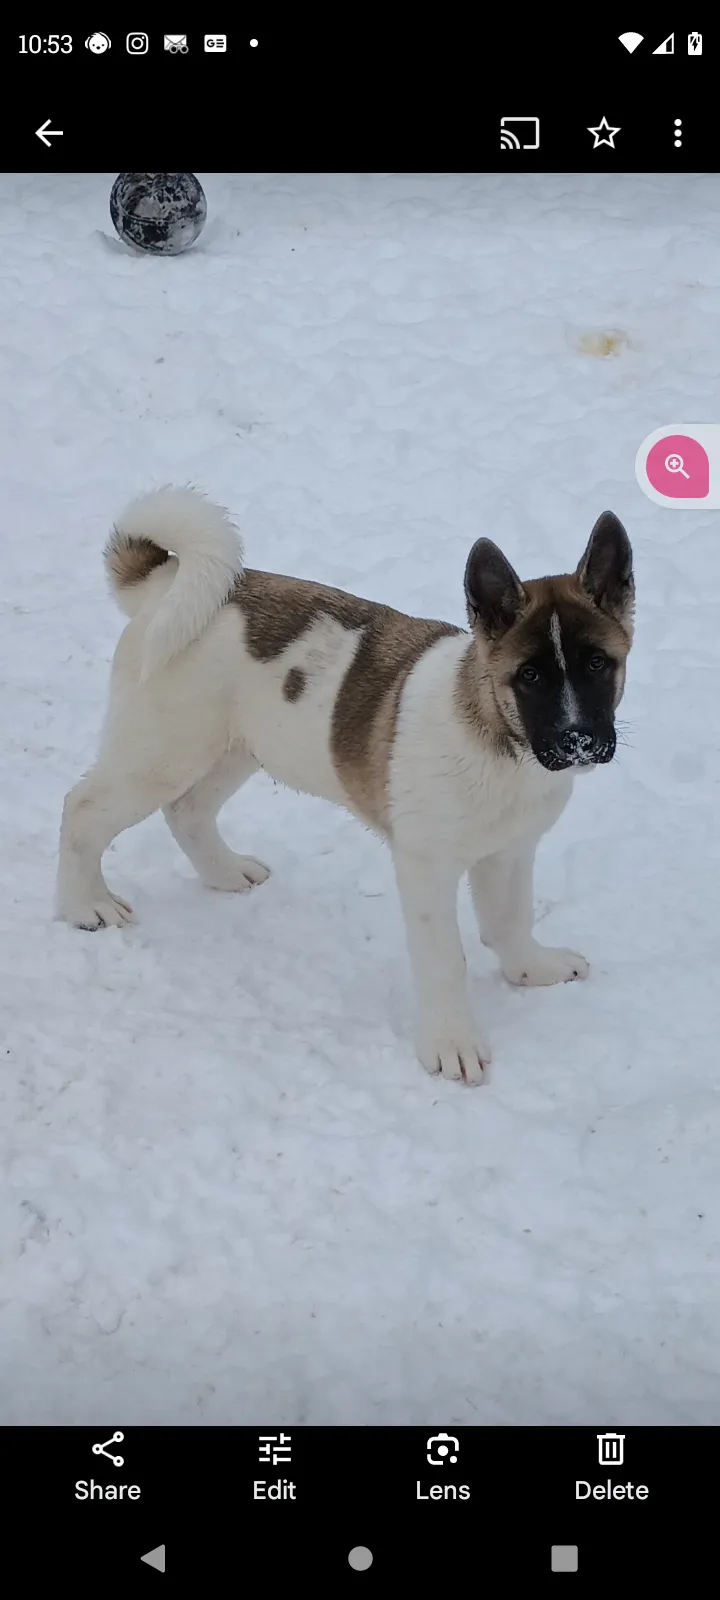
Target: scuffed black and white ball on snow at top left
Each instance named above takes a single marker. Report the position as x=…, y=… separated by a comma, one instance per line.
x=159, y=212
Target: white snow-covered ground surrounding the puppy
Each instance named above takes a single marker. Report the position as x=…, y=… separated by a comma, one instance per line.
x=230, y=1193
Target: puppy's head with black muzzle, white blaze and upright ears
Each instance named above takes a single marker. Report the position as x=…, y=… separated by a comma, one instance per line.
x=553, y=650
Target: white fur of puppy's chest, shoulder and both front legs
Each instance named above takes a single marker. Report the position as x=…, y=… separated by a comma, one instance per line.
x=457, y=807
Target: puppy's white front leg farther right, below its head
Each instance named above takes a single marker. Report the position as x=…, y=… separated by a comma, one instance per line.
x=502, y=890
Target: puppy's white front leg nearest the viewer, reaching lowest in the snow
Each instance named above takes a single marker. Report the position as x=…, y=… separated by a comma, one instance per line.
x=447, y=1038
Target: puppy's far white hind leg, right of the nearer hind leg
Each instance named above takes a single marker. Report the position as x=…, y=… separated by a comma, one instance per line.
x=194, y=826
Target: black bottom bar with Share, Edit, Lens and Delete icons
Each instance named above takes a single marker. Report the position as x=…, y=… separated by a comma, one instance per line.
x=390, y=1503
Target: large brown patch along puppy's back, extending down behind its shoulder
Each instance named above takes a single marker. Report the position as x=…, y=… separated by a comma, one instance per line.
x=279, y=610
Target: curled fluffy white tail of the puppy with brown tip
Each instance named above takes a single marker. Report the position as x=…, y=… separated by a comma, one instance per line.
x=209, y=554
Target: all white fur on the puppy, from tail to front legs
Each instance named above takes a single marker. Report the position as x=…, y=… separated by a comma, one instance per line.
x=188, y=735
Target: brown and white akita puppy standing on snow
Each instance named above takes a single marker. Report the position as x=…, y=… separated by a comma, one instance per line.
x=458, y=748
